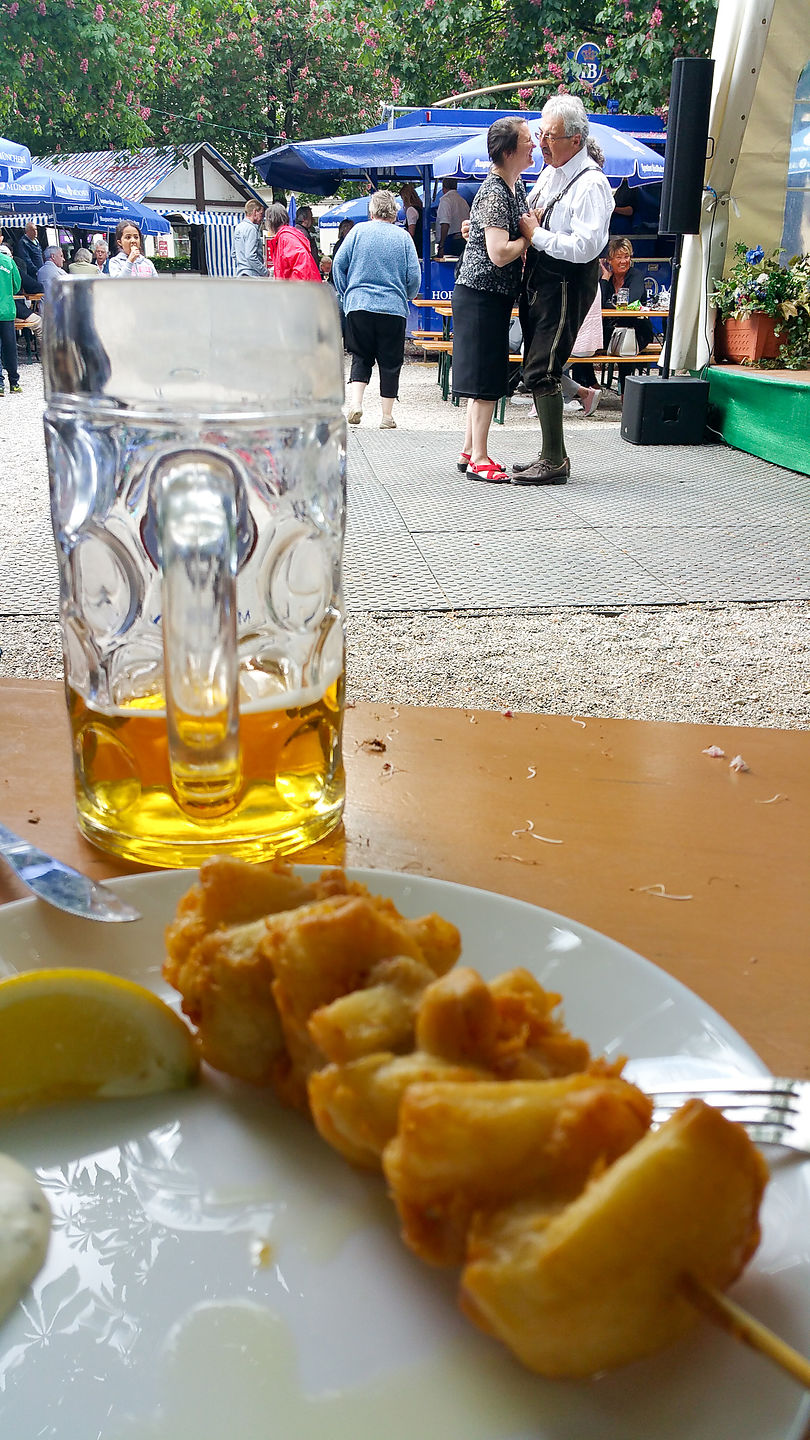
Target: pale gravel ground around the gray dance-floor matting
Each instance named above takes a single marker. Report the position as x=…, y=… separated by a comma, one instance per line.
x=723, y=665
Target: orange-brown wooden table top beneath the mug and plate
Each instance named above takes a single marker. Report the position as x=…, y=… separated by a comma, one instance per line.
x=635, y=804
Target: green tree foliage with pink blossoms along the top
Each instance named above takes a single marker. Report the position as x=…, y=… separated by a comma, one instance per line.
x=247, y=74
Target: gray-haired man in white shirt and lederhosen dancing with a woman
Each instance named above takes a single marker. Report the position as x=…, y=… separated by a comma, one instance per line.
x=567, y=230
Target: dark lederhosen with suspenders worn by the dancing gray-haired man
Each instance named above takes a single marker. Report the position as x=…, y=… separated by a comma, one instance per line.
x=556, y=297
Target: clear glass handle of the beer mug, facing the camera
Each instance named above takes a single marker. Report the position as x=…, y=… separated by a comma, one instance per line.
x=197, y=495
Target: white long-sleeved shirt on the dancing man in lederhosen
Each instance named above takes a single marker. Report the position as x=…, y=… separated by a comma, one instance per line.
x=579, y=225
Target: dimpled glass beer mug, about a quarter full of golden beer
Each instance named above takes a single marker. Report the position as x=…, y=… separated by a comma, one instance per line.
x=197, y=456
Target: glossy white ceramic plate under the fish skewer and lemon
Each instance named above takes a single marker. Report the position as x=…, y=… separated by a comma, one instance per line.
x=215, y=1271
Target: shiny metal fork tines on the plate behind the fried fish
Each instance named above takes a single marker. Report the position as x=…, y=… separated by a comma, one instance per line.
x=775, y=1111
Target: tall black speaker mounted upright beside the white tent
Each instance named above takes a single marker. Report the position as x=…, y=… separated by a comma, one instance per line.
x=687, y=143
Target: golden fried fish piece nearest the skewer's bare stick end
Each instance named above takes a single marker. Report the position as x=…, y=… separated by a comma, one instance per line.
x=597, y=1284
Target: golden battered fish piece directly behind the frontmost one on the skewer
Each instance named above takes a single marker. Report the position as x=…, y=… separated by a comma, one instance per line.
x=463, y=1150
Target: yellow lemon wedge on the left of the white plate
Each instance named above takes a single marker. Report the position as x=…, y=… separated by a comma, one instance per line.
x=70, y=1035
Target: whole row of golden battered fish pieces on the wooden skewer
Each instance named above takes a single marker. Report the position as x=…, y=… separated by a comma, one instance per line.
x=508, y=1150
